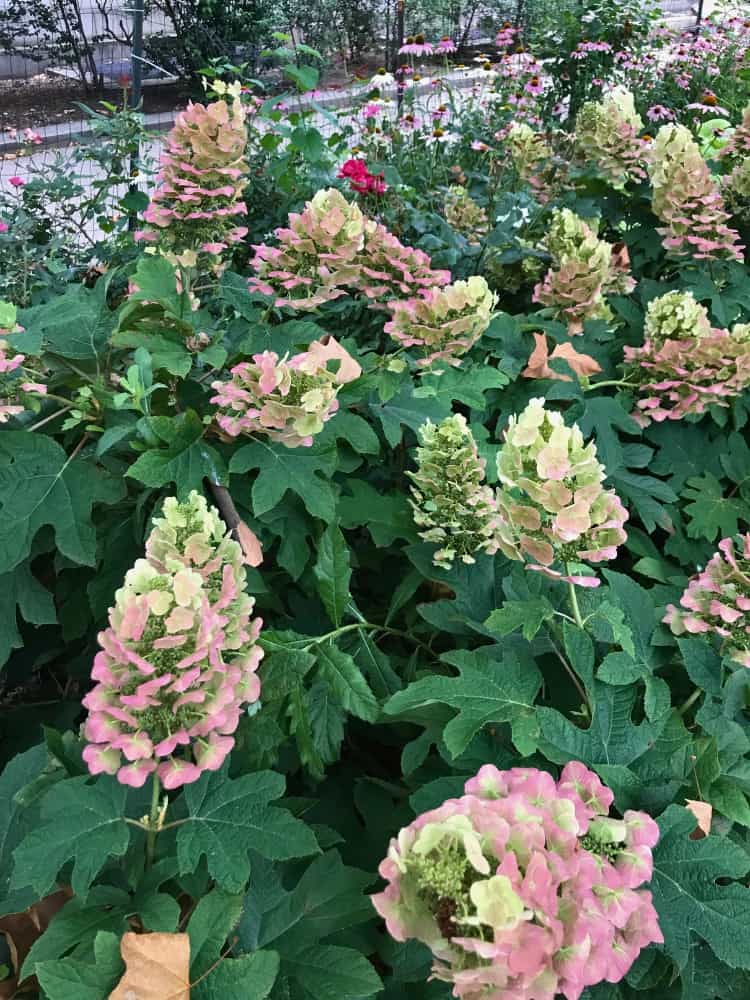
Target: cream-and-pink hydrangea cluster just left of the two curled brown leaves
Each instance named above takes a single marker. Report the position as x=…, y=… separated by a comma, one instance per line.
x=444, y=322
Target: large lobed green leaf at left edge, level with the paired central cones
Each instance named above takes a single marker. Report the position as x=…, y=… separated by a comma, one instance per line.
x=40, y=485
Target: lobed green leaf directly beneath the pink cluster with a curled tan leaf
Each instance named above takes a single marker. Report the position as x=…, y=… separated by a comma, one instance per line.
x=296, y=469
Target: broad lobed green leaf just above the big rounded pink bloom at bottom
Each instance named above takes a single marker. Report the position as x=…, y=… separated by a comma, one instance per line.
x=488, y=690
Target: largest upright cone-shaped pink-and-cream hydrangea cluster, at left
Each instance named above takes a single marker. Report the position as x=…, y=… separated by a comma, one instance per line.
x=179, y=659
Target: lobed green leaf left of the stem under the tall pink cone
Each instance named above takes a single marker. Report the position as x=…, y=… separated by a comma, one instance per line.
x=82, y=822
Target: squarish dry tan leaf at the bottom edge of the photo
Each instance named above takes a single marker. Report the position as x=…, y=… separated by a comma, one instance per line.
x=157, y=967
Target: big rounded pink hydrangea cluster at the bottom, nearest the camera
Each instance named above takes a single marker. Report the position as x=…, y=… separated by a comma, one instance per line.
x=524, y=888
